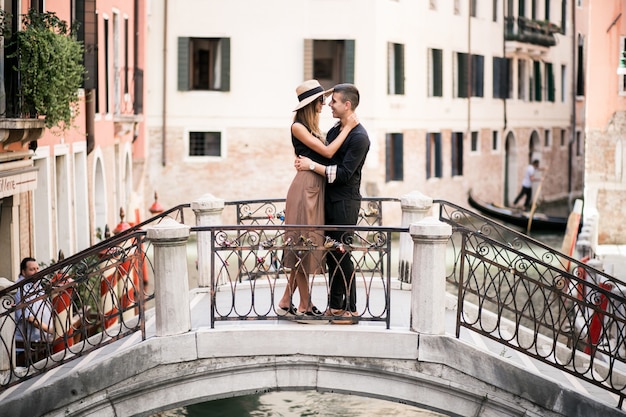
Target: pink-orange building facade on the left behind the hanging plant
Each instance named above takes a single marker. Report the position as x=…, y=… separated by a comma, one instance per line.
x=73, y=182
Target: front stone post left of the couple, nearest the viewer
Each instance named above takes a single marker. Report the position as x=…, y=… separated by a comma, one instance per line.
x=171, y=282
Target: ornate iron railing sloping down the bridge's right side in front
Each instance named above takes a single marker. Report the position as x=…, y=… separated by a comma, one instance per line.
x=531, y=298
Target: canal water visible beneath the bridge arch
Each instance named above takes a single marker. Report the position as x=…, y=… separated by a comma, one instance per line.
x=299, y=404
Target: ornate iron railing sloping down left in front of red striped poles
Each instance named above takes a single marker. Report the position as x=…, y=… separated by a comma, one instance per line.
x=90, y=299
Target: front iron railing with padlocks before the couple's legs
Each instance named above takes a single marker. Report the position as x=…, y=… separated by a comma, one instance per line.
x=243, y=255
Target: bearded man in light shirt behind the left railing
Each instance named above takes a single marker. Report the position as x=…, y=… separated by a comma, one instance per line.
x=34, y=318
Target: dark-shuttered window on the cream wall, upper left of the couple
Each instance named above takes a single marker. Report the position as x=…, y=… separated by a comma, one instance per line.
x=204, y=64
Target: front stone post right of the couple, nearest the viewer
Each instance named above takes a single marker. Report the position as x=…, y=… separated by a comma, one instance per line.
x=428, y=275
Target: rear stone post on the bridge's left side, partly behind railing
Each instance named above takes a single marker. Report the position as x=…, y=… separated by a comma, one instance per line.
x=208, y=210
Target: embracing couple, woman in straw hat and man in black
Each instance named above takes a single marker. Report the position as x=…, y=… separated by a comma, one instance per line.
x=325, y=190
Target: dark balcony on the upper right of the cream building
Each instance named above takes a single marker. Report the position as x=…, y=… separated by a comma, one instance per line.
x=534, y=32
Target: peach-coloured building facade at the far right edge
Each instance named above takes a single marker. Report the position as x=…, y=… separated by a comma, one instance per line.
x=605, y=118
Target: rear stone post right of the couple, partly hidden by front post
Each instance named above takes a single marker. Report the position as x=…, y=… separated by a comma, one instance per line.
x=415, y=206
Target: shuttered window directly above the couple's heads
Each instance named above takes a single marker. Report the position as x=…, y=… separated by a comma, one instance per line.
x=331, y=62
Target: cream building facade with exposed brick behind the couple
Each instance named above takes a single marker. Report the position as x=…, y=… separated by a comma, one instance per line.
x=455, y=95
